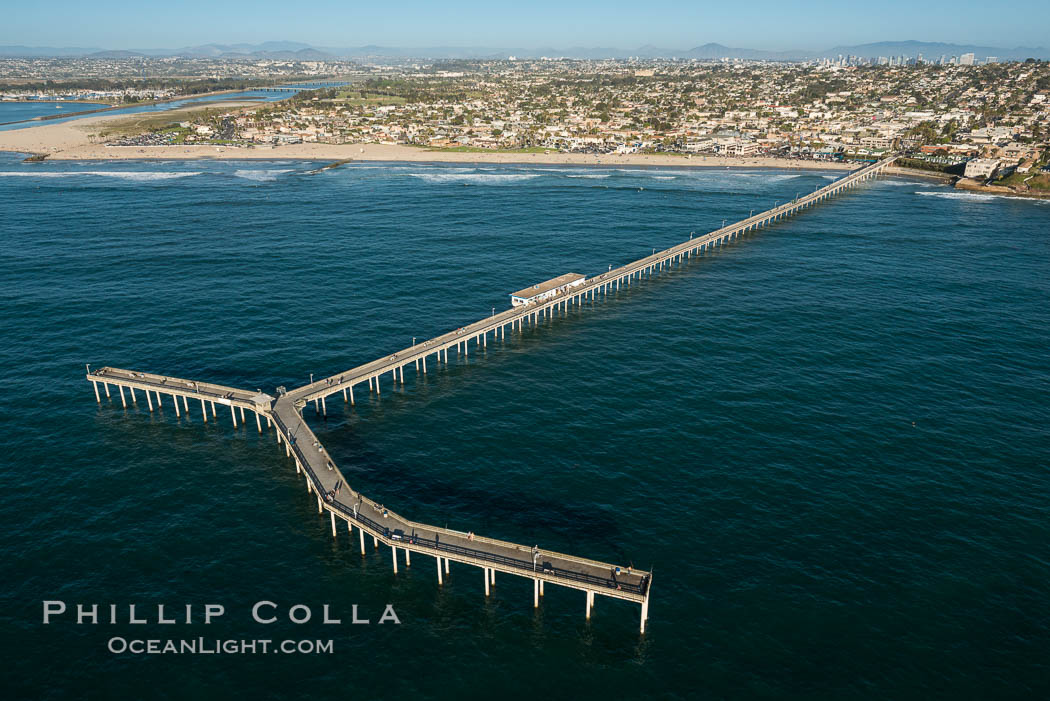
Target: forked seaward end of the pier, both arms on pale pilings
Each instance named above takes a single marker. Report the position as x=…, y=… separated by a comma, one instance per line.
x=375, y=524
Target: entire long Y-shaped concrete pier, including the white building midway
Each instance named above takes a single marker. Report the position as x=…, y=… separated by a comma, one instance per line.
x=284, y=416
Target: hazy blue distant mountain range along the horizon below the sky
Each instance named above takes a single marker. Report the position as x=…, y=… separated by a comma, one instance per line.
x=291, y=51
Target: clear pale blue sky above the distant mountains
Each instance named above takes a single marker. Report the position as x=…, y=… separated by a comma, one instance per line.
x=766, y=25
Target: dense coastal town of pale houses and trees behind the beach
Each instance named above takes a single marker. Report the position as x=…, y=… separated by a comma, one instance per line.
x=979, y=119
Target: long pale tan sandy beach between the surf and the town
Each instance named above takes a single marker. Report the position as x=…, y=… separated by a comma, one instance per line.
x=76, y=141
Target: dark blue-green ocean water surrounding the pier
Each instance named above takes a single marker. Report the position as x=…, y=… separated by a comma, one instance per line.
x=828, y=440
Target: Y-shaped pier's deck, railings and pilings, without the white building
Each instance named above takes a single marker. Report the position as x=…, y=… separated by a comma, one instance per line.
x=396, y=532
